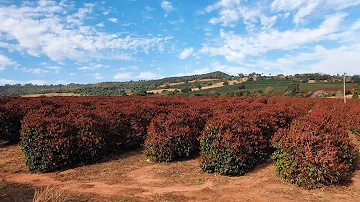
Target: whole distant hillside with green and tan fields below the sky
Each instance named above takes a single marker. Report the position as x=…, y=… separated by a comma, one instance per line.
x=214, y=83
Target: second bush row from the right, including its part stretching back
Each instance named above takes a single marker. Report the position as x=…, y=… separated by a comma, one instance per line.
x=235, y=142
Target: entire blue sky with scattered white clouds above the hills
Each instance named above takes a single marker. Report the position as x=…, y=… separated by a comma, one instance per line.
x=53, y=42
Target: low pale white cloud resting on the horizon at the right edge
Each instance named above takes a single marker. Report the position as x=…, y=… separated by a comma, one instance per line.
x=322, y=60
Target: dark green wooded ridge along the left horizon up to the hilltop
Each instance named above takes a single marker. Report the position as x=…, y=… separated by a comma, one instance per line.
x=104, y=88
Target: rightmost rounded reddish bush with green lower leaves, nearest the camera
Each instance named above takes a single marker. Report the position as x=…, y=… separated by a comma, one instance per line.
x=314, y=151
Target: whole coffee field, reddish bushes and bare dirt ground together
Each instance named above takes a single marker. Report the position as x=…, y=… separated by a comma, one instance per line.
x=214, y=148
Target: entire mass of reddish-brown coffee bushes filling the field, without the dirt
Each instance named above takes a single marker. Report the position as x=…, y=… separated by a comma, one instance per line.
x=308, y=138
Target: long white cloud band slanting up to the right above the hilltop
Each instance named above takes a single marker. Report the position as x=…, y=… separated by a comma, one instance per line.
x=236, y=47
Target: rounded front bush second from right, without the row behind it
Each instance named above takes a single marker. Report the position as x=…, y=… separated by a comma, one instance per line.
x=233, y=143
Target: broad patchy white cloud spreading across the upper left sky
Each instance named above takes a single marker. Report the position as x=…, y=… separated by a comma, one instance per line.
x=45, y=30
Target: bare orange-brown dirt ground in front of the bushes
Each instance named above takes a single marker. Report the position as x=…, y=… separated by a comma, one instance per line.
x=129, y=177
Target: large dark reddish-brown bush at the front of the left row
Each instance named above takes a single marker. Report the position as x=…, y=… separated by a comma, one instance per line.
x=53, y=138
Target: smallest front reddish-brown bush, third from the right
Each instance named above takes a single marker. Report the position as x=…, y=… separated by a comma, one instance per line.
x=173, y=136
